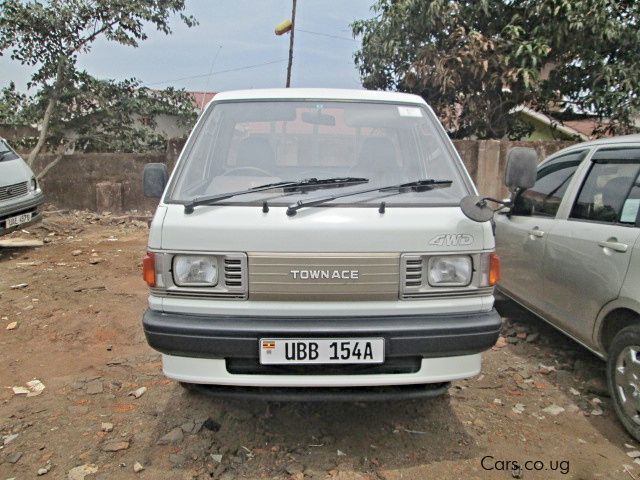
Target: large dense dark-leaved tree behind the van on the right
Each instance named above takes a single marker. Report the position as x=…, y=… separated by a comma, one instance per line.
x=474, y=61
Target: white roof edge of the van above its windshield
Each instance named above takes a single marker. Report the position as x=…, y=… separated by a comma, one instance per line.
x=318, y=94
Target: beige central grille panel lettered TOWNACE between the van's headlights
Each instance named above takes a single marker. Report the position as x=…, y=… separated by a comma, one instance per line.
x=324, y=276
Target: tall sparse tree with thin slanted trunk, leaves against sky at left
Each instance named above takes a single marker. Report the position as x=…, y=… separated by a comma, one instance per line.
x=50, y=35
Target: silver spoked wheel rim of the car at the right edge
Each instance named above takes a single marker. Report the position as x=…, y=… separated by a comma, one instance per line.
x=627, y=382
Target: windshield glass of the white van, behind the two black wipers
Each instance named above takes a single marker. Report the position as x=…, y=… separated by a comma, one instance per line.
x=241, y=145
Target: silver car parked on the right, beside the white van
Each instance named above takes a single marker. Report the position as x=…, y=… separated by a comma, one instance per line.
x=570, y=254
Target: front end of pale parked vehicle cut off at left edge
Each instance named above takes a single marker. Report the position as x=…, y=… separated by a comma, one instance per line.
x=20, y=194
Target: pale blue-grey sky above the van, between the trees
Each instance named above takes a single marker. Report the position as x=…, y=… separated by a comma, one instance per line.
x=232, y=35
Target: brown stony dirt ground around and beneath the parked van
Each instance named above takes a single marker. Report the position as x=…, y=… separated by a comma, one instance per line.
x=78, y=301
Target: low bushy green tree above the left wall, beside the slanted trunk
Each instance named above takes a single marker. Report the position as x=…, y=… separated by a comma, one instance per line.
x=95, y=115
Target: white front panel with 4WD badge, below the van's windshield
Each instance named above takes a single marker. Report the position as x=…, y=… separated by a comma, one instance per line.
x=318, y=229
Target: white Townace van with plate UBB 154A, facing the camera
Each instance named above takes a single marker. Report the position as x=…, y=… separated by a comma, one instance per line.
x=312, y=242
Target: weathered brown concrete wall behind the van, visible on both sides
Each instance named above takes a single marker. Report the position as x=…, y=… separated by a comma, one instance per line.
x=113, y=181
